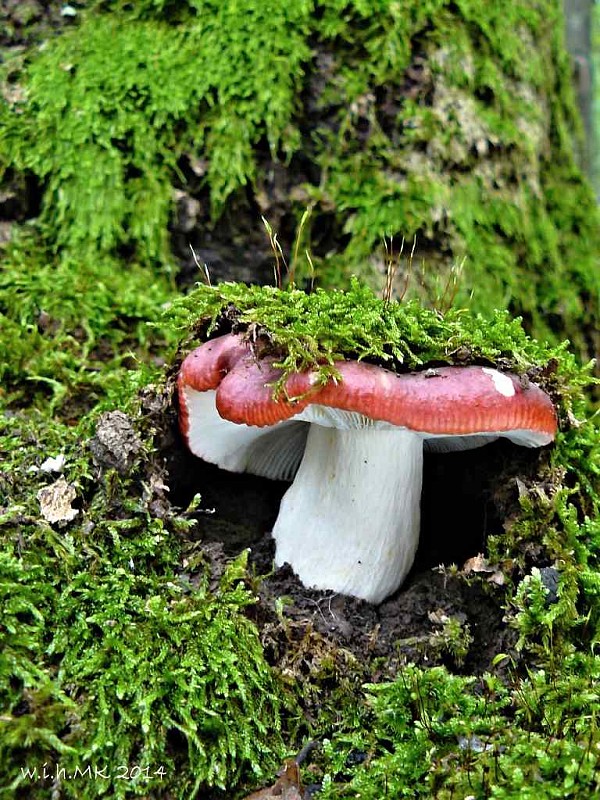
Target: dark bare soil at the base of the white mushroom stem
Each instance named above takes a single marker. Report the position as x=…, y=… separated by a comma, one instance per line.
x=404, y=627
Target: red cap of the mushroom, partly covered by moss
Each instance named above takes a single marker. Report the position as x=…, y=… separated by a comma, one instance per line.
x=445, y=402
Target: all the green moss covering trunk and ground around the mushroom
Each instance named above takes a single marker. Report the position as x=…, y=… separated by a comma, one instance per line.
x=451, y=122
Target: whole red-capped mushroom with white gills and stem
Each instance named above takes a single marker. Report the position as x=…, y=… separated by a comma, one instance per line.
x=353, y=447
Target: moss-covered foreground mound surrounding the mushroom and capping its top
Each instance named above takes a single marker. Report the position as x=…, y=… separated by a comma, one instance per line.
x=129, y=642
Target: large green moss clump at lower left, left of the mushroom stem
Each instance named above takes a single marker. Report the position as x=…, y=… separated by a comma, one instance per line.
x=112, y=657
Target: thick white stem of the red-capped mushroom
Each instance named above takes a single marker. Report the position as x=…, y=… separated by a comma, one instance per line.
x=350, y=520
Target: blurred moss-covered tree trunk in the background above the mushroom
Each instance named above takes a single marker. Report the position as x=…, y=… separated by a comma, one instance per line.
x=451, y=122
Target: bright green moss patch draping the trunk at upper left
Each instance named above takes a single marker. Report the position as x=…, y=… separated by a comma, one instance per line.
x=113, y=128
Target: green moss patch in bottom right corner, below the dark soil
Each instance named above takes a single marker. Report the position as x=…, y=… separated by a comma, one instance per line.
x=431, y=734
